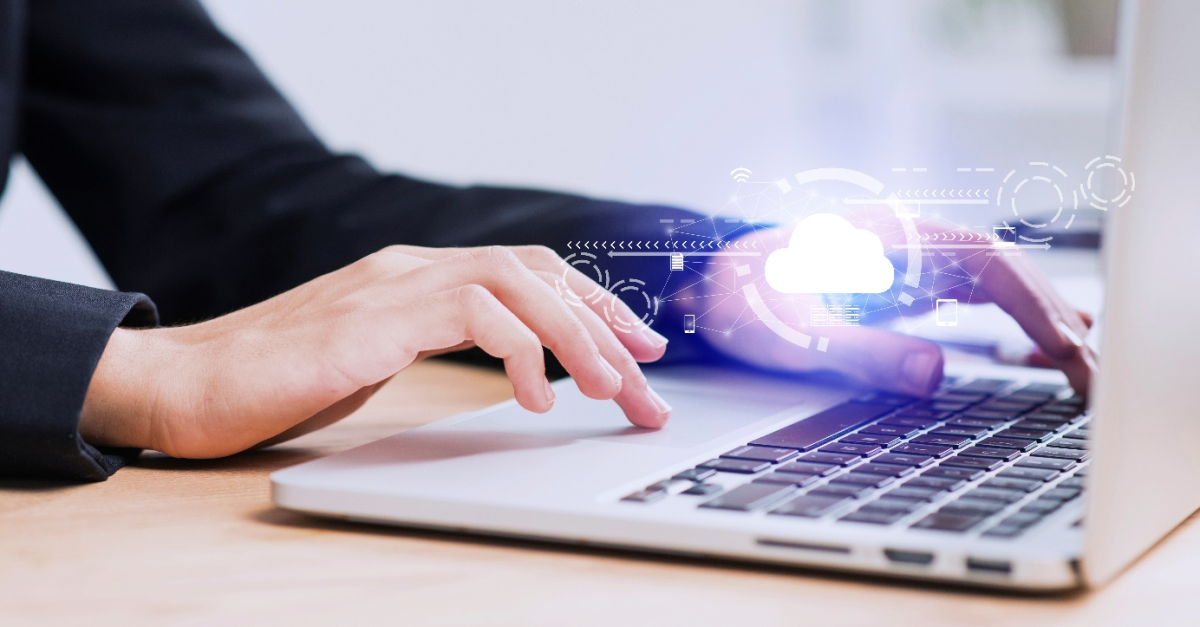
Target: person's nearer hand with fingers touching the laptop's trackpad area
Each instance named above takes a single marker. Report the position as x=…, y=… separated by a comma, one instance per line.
x=311, y=356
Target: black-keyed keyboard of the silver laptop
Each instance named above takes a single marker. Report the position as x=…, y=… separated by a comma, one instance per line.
x=982, y=456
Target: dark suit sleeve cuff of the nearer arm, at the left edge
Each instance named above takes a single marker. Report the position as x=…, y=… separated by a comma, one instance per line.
x=52, y=336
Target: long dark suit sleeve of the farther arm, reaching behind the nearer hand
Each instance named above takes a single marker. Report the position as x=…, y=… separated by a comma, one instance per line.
x=199, y=184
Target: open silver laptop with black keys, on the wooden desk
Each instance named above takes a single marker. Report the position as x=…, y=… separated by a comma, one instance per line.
x=1005, y=477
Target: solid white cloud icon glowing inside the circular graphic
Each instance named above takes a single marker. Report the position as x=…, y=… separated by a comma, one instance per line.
x=827, y=255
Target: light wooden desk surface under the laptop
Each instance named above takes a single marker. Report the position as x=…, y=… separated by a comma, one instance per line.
x=200, y=544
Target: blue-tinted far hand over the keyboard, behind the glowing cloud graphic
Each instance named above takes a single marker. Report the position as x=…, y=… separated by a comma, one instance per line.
x=878, y=357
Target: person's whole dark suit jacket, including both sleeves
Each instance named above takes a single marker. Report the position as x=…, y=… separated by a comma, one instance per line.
x=197, y=184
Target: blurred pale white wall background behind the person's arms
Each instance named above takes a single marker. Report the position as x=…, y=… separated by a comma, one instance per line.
x=646, y=101
